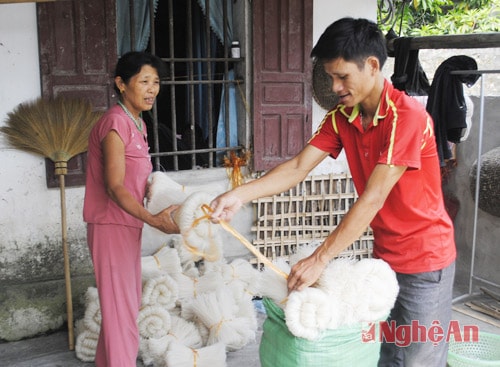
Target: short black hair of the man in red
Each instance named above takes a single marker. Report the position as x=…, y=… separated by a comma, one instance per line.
x=352, y=40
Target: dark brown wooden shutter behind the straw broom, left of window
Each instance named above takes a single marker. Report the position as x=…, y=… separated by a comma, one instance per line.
x=77, y=46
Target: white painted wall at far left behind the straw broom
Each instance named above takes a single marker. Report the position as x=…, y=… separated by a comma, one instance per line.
x=29, y=212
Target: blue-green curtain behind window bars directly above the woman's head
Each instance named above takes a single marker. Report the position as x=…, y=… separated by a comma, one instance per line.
x=142, y=24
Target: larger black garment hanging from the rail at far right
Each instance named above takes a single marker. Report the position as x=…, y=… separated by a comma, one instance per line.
x=446, y=103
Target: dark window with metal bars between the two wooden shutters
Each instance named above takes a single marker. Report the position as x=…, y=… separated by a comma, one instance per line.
x=194, y=123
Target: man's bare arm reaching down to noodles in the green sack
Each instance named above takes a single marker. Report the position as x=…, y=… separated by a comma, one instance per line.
x=380, y=183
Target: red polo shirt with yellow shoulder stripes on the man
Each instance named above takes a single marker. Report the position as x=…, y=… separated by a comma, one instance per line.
x=412, y=231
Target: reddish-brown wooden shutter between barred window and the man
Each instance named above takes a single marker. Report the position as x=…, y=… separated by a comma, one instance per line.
x=282, y=68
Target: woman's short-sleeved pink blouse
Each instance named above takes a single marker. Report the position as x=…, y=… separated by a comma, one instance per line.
x=98, y=206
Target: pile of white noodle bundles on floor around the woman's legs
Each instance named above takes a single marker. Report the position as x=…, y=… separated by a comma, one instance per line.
x=195, y=307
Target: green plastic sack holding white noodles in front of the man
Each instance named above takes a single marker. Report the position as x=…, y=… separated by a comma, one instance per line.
x=335, y=348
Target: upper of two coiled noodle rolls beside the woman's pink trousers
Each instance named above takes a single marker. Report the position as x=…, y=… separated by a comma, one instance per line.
x=162, y=291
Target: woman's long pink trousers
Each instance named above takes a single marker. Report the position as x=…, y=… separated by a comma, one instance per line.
x=116, y=255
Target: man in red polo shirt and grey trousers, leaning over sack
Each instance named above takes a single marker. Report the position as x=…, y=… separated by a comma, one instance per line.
x=389, y=142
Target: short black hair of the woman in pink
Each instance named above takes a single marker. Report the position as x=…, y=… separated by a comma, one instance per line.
x=132, y=62
